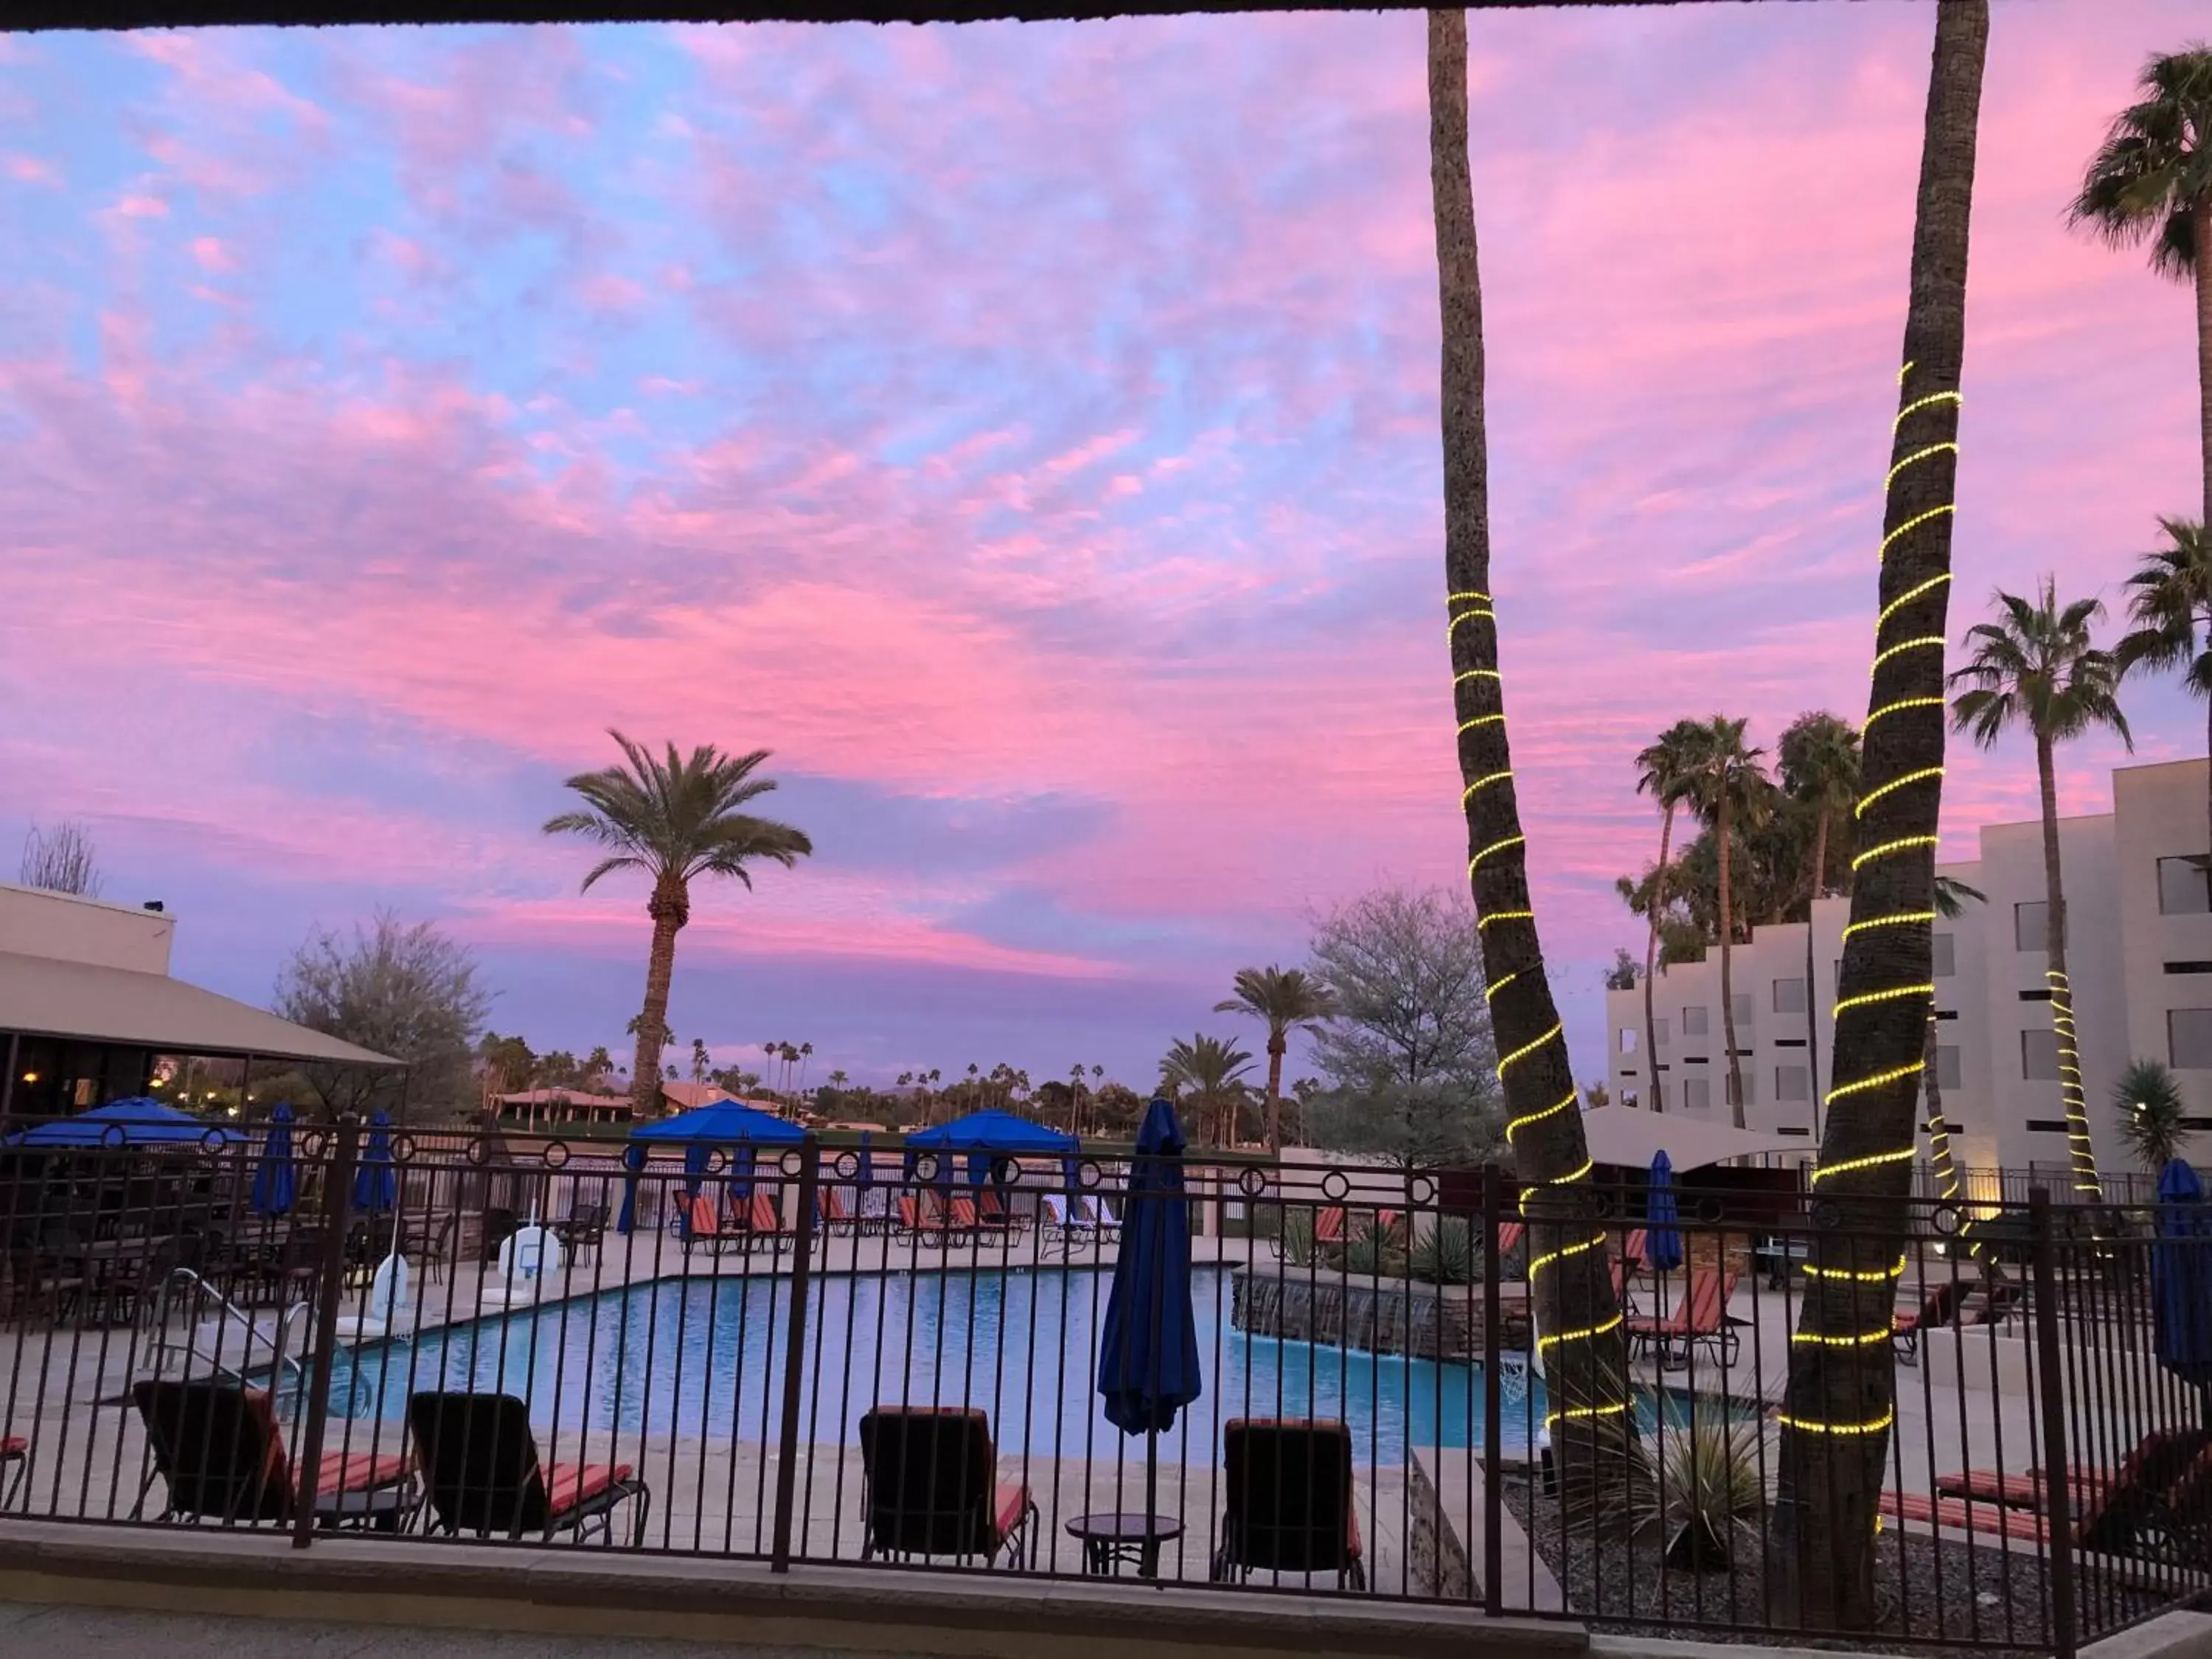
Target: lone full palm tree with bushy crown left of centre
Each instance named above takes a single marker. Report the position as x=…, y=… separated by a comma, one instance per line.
x=676, y=820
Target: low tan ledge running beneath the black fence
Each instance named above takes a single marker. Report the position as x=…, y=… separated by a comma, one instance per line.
x=842, y=1609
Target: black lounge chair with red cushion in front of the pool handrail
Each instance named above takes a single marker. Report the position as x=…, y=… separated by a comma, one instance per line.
x=222, y=1457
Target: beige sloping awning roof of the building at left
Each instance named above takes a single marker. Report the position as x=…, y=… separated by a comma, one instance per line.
x=48, y=999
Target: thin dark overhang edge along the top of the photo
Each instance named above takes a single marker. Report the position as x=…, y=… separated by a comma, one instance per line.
x=194, y=14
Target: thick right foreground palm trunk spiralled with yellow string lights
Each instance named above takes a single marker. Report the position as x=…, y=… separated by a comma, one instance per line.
x=1841, y=1390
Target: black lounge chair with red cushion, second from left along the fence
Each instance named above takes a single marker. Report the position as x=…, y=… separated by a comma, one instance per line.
x=483, y=1477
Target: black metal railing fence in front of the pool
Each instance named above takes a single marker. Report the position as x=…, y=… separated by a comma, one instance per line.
x=804, y=1355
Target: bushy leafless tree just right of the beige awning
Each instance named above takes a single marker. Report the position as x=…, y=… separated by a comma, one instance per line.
x=404, y=992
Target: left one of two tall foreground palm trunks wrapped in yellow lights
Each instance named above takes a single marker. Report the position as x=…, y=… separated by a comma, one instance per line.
x=1580, y=1331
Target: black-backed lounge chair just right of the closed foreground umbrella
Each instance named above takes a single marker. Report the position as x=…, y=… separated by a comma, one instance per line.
x=1288, y=1501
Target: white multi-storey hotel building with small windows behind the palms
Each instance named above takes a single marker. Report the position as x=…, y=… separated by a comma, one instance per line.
x=2140, y=959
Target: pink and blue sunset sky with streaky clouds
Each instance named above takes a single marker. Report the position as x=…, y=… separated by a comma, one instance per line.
x=1030, y=435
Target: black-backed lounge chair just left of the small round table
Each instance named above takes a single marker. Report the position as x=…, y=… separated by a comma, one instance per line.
x=932, y=1490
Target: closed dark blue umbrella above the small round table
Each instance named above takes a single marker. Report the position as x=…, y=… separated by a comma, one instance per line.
x=1149, y=1348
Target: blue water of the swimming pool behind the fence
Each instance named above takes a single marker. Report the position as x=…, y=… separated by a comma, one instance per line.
x=707, y=1357
